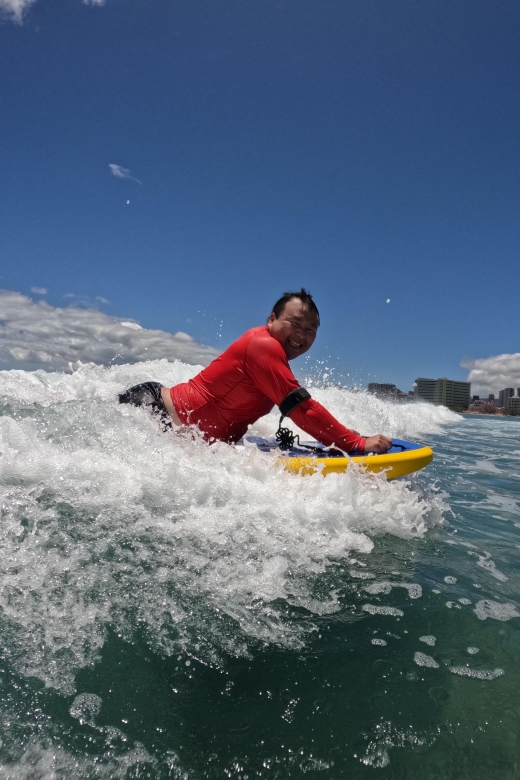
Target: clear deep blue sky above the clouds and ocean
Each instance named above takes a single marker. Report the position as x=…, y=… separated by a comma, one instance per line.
x=366, y=149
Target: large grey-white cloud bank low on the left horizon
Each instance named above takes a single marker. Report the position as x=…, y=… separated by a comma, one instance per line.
x=37, y=335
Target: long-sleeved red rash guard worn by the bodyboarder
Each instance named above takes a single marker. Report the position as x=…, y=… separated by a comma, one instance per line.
x=243, y=384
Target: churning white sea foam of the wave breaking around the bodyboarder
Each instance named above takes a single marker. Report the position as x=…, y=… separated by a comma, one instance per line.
x=106, y=522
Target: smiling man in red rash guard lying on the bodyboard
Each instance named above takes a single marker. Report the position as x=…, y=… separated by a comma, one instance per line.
x=249, y=378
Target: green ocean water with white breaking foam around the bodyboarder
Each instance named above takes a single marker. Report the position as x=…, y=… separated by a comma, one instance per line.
x=173, y=610
